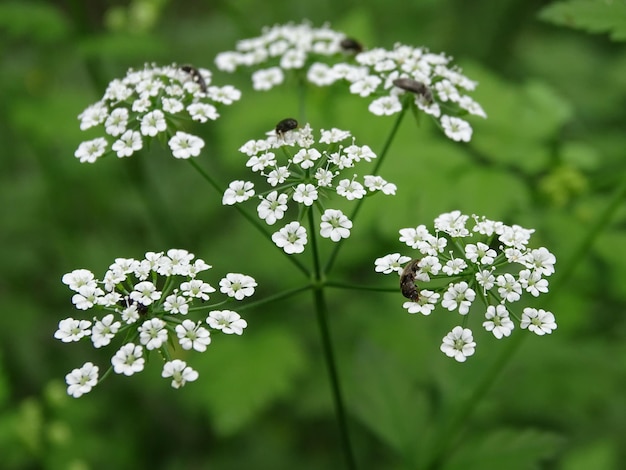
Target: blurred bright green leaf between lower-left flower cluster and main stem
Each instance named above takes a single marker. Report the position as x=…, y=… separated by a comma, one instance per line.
x=248, y=376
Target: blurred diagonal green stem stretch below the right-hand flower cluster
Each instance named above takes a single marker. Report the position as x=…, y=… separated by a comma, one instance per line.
x=450, y=430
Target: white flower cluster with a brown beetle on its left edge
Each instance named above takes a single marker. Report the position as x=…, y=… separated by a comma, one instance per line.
x=488, y=260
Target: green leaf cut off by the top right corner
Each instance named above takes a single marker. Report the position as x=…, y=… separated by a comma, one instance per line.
x=594, y=16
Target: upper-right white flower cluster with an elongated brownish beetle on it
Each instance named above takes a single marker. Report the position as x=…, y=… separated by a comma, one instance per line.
x=436, y=88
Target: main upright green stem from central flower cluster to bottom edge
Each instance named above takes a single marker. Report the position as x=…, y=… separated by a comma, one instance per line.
x=327, y=346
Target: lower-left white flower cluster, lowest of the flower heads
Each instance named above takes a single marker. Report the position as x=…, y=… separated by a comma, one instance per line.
x=147, y=302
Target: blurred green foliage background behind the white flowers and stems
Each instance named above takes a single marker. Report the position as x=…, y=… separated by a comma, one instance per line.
x=550, y=157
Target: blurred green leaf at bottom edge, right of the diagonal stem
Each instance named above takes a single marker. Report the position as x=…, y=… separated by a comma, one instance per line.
x=506, y=448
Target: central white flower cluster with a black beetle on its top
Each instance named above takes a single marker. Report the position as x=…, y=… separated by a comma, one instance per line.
x=307, y=177
